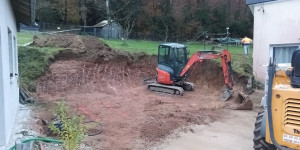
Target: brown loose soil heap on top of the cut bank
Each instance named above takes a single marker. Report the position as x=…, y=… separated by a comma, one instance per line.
x=86, y=48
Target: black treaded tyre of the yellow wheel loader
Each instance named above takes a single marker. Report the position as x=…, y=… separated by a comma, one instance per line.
x=259, y=141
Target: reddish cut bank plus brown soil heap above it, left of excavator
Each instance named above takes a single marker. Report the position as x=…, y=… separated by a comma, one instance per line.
x=86, y=59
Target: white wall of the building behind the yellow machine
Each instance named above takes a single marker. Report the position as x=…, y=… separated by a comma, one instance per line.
x=275, y=23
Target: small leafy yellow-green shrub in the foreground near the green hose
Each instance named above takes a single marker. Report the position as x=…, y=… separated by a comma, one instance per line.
x=68, y=128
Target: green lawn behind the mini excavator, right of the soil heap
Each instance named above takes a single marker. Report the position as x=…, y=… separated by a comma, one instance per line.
x=240, y=62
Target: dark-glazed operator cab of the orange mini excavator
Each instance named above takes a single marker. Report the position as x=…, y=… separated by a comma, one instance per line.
x=172, y=58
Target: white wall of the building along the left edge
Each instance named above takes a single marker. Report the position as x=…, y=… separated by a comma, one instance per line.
x=9, y=92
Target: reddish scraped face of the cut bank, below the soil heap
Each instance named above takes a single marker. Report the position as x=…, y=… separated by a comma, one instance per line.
x=66, y=75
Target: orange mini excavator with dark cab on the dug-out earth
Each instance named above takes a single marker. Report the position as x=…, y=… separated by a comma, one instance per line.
x=174, y=68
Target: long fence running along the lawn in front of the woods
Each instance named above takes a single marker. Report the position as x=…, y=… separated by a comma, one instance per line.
x=51, y=28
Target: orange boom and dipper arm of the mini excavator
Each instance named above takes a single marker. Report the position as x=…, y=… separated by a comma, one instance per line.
x=200, y=56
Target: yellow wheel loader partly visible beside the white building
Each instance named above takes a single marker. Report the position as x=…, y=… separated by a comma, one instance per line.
x=278, y=123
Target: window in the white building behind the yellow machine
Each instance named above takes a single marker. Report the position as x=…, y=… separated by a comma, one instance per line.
x=283, y=54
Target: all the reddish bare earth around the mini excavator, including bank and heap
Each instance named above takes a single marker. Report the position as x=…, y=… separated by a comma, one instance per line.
x=106, y=86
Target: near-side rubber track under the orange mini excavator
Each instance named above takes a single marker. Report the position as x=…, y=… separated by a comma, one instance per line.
x=165, y=88
